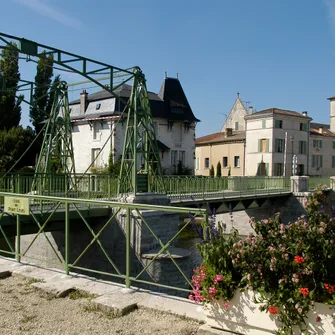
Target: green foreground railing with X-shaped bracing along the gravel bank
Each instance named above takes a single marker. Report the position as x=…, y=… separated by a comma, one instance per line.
x=129, y=213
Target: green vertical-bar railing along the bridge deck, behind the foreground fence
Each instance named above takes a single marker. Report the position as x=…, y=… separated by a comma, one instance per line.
x=99, y=186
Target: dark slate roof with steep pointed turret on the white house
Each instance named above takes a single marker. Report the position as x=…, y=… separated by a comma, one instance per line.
x=170, y=103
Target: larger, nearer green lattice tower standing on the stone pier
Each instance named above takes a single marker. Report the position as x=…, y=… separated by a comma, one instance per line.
x=140, y=163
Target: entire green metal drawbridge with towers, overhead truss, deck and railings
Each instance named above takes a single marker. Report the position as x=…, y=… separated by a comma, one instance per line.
x=45, y=202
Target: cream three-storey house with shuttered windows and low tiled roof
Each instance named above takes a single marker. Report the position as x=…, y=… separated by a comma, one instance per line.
x=273, y=137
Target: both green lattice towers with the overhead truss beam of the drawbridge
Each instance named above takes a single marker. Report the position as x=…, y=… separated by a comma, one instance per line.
x=140, y=145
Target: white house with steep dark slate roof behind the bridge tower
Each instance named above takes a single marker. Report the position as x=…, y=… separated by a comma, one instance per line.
x=98, y=130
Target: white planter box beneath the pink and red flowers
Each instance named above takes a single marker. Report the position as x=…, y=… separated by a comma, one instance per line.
x=244, y=317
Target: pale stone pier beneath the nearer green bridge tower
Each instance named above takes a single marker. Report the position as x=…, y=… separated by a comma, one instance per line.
x=145, y=248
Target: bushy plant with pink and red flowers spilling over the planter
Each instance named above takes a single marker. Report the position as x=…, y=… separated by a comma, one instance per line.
x=290, y=266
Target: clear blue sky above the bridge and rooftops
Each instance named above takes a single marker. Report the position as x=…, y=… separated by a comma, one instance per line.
x=278, y=53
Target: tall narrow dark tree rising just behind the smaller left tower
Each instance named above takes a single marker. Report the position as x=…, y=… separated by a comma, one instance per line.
x=38, y=112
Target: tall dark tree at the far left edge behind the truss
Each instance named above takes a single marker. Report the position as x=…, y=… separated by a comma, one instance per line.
x=10, y=106
